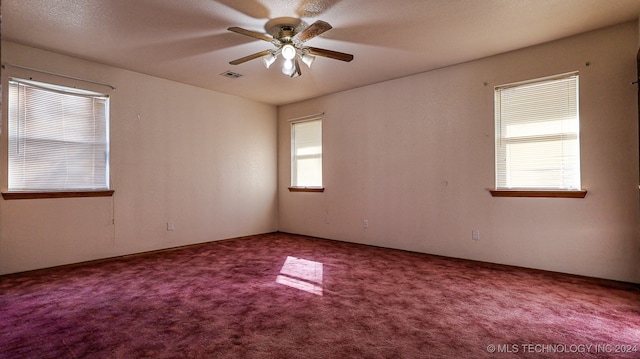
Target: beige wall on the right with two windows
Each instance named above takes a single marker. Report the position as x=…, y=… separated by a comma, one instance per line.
x=415, y=157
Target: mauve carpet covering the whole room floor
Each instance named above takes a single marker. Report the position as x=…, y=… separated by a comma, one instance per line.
x=287, y=296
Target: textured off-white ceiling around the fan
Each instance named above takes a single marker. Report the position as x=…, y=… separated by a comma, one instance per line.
x=188, y=41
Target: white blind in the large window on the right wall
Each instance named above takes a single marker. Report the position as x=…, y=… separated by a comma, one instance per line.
x=537, y=134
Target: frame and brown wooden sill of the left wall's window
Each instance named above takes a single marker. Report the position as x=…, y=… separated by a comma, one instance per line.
x=37, y=193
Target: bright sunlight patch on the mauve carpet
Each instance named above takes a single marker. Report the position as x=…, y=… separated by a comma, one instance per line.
x=301, y=274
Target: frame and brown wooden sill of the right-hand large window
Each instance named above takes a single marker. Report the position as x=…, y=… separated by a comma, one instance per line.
x=542, y=191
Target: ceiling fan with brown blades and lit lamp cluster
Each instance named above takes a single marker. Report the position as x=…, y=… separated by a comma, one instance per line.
x=288, y=35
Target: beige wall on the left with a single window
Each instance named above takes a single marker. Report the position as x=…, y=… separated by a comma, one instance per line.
x=200, y=159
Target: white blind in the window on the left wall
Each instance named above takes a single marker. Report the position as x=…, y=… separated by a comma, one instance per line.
x=58, y=138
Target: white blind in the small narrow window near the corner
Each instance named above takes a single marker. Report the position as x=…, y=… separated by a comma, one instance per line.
x=306, y=153
